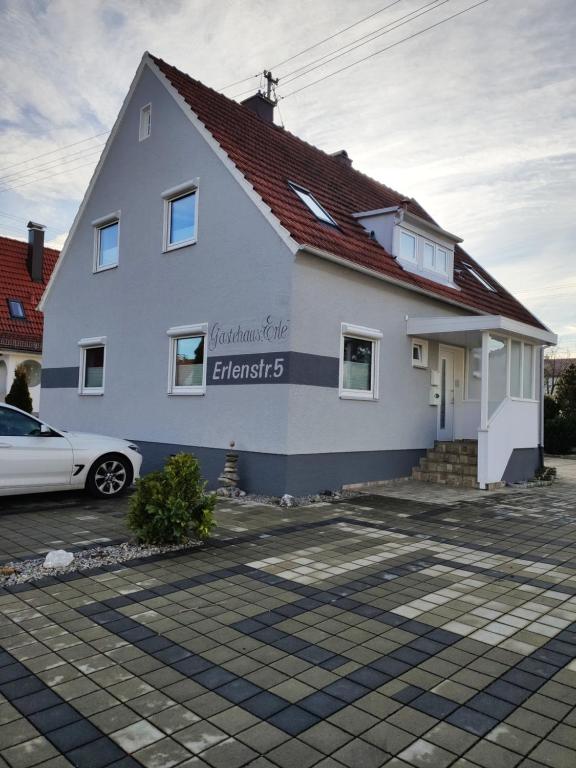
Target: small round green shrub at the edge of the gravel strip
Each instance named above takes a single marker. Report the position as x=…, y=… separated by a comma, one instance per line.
x=171, y=504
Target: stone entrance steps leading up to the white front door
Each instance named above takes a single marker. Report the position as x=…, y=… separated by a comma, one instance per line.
x=452, y=463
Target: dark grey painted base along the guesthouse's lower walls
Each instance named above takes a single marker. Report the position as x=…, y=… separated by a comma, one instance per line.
x=276, y=474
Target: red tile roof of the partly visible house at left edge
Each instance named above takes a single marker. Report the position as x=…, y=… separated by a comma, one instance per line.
x=16, y=283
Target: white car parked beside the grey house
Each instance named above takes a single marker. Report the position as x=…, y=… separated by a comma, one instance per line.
x=35, y=457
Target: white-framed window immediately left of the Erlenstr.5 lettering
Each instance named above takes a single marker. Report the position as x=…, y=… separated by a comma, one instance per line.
x=187, y=366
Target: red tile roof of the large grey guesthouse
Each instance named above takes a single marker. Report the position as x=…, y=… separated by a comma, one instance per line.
x=269, y=156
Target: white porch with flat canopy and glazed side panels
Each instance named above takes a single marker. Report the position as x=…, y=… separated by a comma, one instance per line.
x=500, y=404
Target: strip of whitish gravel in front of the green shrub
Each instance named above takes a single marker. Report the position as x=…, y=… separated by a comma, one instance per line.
x=86, y=559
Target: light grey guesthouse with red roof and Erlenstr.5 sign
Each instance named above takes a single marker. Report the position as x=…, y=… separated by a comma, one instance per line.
x=229, y=282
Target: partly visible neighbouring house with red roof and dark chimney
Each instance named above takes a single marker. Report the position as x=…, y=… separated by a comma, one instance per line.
x=25, y=268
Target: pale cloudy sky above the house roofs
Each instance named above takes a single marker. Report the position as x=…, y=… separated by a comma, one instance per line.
x=475, y=118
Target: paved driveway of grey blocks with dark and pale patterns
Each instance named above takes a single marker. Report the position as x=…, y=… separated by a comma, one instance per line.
x=380, y=631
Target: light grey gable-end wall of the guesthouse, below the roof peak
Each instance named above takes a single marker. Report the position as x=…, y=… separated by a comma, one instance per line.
x=237, y=272
